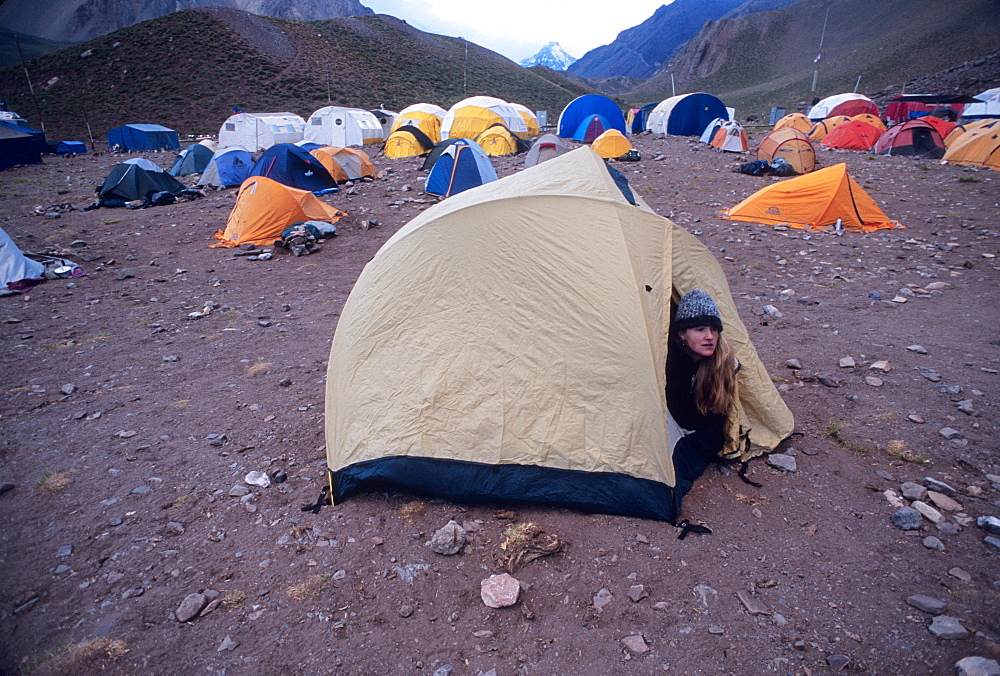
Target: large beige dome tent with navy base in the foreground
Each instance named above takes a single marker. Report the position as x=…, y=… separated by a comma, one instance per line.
x=526, y=362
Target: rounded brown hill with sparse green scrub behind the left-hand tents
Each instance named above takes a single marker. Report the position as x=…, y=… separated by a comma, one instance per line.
x=179, y=71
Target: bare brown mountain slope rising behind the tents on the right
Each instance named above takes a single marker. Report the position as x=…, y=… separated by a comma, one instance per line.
x=766, y=59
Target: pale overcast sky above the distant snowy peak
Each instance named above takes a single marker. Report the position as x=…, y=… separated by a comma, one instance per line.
x=519, y=28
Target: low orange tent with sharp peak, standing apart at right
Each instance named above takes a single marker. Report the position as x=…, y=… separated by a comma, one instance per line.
x=815, y=201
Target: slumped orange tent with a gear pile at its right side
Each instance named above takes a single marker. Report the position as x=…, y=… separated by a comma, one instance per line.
x=265, y=207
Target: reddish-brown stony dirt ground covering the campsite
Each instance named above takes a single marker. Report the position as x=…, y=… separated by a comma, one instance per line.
x=126, y=425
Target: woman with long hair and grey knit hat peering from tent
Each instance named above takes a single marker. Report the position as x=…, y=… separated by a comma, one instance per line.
x=701, y=387
